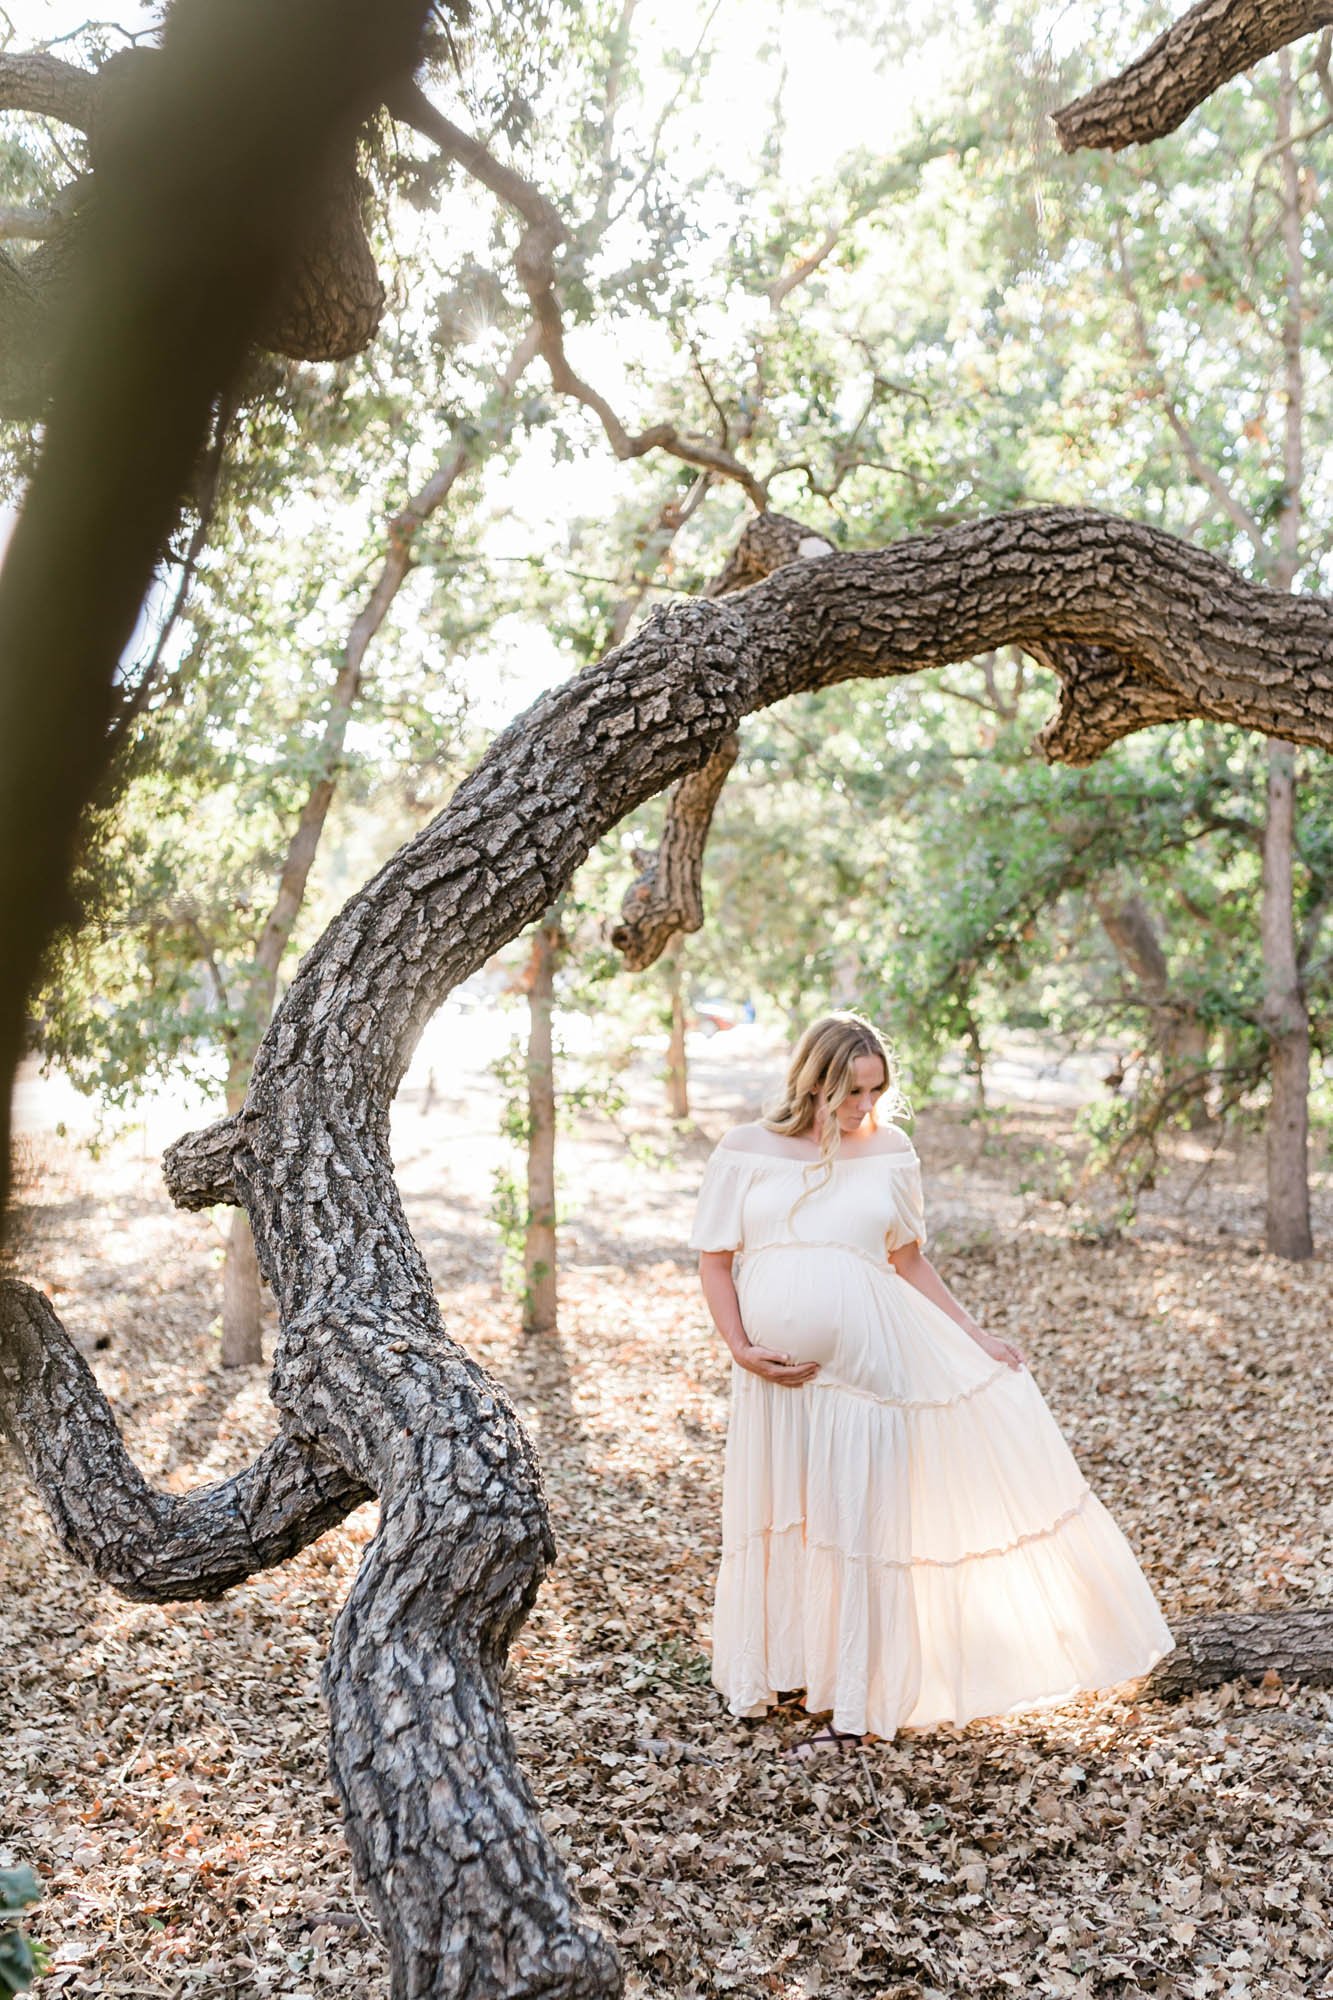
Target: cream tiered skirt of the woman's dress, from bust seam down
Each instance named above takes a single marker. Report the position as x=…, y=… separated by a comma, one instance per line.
x=908, y=1537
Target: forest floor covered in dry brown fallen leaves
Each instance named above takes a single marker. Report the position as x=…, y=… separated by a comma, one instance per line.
x=165, y=1769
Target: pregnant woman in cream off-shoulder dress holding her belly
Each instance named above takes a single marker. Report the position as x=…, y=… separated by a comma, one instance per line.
x=906, y=1535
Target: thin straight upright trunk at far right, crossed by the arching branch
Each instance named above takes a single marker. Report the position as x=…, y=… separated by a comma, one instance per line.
x=1284, y=1003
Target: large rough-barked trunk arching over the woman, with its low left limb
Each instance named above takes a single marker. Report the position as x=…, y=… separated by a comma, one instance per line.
x=367, y=1381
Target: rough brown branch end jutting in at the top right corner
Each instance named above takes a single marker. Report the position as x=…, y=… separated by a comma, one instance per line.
x=1196, y=57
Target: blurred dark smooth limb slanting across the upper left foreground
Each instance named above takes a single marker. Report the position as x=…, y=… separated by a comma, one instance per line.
x=205, y=203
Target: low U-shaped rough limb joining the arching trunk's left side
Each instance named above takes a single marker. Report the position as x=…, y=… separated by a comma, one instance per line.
x=149, y=1545
